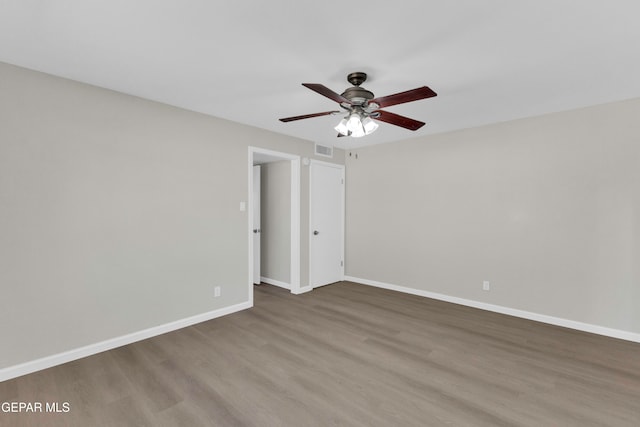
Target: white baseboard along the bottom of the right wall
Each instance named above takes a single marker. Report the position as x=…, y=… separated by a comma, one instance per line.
x=557, y=321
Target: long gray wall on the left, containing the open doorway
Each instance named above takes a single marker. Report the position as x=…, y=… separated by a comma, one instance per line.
x=117, y=213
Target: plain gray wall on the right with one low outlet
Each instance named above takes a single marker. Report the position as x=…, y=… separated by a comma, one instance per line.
x=547, y=209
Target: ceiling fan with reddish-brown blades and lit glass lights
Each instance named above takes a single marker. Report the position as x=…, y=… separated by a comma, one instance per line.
x=361, y=107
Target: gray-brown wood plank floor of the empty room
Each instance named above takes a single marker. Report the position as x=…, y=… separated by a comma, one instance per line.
x=347, y=355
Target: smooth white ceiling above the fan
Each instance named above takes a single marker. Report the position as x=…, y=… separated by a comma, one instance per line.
x=489, y=61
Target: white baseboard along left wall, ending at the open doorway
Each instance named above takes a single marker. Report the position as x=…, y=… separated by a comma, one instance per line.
x=91, y=349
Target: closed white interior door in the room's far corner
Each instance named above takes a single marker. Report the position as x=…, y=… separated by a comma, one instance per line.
x=326, y=248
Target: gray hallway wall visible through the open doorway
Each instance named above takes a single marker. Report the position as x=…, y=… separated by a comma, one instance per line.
x=275, y=221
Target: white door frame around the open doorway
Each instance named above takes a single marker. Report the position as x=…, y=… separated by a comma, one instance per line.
x=294, y=262
